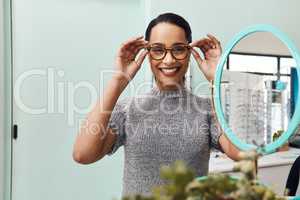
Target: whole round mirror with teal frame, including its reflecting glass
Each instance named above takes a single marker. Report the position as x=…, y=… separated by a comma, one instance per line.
x=256, y=89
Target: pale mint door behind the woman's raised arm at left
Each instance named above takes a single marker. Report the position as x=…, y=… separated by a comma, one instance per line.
x=63, y=56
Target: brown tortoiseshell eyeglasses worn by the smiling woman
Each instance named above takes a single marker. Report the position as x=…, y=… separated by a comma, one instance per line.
x=159, y=51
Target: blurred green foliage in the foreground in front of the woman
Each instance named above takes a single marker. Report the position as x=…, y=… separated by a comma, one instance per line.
x=183, y=185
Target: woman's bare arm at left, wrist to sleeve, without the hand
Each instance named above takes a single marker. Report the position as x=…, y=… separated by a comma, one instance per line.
x=94, y=137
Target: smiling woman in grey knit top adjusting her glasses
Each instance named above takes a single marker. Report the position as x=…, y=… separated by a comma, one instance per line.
x=168, y=123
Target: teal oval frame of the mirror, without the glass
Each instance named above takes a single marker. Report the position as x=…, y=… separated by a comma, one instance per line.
x=269, y=148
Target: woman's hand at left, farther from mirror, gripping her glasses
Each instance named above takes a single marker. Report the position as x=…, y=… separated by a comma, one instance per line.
x=126, y=62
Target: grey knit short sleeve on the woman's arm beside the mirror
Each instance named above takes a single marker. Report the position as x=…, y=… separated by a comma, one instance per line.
x=215, y=130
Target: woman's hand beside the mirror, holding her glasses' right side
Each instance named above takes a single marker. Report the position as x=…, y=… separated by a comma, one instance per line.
x=211, y=49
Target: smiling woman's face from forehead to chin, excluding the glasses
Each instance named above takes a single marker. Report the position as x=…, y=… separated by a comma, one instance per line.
x=168, y=71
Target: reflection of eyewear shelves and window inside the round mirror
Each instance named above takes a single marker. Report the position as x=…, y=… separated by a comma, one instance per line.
x=257, y=88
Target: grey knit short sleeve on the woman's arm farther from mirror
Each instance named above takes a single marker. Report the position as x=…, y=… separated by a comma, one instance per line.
x=117, y=124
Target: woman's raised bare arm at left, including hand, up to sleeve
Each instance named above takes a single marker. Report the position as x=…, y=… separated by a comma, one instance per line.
x=95, y=140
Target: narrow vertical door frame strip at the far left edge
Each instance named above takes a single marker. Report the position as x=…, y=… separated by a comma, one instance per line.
x=7, y=98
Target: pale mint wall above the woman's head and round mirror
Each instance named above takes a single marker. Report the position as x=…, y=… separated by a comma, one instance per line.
x=226, y=18
